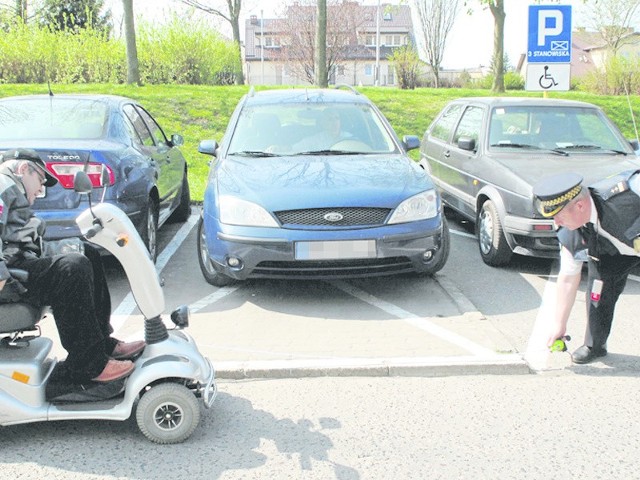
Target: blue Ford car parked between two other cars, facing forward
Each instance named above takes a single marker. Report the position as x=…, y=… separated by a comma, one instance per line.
x=314, y=184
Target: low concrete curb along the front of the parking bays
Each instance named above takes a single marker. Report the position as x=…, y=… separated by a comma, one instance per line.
x=373, y=367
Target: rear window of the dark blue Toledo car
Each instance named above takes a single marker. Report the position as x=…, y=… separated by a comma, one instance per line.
x=52, y=118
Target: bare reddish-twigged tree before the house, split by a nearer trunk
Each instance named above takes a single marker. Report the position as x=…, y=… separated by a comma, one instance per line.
x=299, y=24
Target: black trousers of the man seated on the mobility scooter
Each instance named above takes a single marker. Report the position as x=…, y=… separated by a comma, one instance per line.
x=75, y=287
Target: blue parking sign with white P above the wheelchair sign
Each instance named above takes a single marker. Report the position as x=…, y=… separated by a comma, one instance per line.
x=549, y=34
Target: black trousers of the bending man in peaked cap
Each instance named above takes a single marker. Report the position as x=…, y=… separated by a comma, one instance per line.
x=613, y=270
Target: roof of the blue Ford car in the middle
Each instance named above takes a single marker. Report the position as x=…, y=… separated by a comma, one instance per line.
x=305, y=95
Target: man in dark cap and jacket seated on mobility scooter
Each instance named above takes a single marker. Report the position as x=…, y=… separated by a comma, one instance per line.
x=72, y=284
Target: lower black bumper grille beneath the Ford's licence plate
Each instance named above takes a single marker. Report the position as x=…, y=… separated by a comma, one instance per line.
x=333, y=269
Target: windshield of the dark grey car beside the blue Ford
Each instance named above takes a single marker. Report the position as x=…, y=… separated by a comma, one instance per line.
x=556, y=128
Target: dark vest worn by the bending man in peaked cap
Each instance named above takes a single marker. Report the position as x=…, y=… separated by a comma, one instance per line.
x=618, y=211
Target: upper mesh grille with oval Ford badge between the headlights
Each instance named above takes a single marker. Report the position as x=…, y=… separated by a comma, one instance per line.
x=318, y=217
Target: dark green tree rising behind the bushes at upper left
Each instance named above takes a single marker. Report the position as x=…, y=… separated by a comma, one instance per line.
x=73, y=15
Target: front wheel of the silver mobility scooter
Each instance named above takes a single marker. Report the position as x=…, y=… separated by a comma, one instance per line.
x=168, y=413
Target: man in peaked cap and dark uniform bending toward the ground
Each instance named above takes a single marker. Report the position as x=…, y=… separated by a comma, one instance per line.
x=602, y=221
